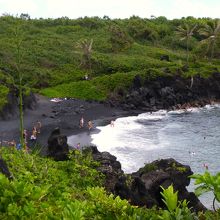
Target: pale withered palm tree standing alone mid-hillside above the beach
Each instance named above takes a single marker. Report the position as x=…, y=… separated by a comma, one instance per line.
x=86, y=48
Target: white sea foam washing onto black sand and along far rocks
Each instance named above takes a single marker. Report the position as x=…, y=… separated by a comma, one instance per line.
x=132, y=138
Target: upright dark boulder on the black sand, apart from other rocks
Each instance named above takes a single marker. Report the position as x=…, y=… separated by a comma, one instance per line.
x=58, y=148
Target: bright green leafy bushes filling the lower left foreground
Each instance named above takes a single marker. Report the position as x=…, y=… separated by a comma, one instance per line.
x=44, y=189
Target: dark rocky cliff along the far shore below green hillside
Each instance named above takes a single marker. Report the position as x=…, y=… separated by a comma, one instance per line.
x=169, y=92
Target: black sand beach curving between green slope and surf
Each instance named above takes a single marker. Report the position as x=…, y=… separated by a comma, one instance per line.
x=64, y=114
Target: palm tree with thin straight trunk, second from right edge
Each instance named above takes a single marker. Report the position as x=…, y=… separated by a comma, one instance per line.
x=185, y=32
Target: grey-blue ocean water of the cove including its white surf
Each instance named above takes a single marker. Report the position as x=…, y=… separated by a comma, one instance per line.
x=191, y=137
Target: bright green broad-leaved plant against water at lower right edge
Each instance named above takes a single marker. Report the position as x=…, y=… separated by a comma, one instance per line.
x=208, y=183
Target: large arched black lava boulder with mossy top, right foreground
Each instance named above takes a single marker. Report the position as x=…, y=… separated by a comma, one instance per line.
x=168, y=172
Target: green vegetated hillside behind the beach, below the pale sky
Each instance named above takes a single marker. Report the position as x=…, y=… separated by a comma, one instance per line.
x=53, y=56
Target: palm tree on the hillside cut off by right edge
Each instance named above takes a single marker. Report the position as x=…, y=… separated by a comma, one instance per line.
x=211, y=31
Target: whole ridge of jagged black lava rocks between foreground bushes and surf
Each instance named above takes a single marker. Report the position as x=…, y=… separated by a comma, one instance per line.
x=143, y=188
